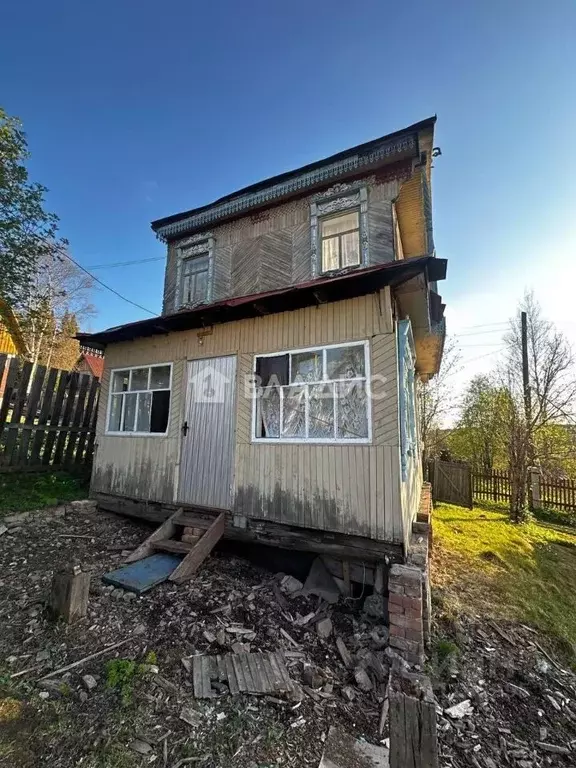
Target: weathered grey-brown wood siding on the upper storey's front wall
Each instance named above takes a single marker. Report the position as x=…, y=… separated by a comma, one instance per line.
x=272, y=249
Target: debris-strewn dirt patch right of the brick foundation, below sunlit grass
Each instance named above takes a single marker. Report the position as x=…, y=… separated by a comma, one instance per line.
x=522, y=703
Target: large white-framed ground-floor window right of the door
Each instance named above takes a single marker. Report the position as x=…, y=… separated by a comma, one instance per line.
x=313, y=395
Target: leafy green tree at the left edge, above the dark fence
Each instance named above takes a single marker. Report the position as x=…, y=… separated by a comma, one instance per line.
x=27, y=231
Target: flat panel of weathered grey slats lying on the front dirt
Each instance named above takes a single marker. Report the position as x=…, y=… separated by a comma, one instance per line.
x=242, y=673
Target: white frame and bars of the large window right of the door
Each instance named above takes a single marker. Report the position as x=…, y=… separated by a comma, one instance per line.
x=316, y=440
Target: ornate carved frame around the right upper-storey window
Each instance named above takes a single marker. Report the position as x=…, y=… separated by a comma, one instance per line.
x=338, y=199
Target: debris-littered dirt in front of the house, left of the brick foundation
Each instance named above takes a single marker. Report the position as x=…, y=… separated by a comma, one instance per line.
x=128, y=714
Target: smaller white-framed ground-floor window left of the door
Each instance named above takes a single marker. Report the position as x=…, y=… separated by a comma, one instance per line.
x=139, y=400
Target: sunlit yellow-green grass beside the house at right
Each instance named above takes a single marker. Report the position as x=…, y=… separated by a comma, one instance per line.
x=485, y=565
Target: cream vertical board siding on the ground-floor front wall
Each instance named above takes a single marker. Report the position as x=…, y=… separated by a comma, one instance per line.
x=348, y=488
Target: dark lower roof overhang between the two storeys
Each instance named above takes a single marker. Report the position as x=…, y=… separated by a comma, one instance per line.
x=325, y=289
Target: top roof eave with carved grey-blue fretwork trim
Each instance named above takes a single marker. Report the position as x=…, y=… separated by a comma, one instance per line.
x=392, y=147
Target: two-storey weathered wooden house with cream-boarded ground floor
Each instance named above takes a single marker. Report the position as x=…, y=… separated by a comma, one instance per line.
x=321, y=283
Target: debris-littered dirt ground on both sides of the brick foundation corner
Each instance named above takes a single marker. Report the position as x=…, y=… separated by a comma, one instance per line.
x=125, y=709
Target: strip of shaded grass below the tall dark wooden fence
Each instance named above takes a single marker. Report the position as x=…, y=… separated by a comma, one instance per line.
x=22, y=491
